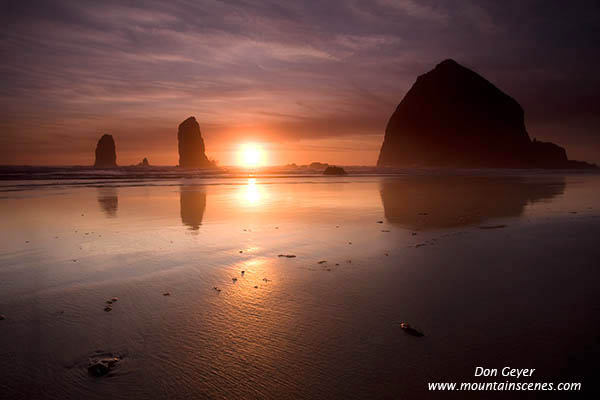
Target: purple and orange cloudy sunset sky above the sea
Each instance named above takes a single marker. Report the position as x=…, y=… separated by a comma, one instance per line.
x=306, y=80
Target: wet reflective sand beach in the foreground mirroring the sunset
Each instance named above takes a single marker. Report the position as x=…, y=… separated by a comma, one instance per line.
x=495, y=271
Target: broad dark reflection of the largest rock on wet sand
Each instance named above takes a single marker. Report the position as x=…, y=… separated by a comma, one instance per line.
x=429, y=202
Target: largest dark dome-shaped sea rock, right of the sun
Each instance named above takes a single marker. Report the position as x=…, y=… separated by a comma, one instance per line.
x=453, y=117
